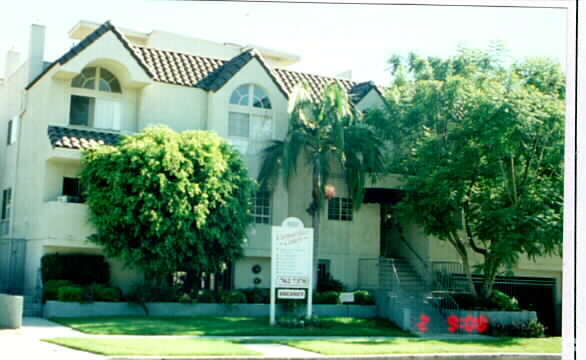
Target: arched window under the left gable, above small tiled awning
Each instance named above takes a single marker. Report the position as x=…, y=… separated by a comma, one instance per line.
x=95, y=99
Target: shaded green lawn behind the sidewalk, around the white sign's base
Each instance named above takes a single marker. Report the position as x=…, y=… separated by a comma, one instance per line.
x=226, y=326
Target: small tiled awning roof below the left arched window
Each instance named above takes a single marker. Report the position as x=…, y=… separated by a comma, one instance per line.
x=64, y=137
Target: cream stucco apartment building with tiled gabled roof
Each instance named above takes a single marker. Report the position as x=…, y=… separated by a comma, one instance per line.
x=118, y=81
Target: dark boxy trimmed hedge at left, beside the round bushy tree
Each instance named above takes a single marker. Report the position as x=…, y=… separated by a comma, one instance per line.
x=80, y=269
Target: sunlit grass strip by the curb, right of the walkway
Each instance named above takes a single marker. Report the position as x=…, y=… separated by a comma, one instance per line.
x=422, y=346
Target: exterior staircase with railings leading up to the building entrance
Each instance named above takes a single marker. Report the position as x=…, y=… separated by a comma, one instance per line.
x=408, y=300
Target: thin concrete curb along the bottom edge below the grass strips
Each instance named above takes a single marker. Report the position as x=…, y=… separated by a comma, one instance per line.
x=493, y=356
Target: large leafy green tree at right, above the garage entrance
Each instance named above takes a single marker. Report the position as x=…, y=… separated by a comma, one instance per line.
x=481, y=146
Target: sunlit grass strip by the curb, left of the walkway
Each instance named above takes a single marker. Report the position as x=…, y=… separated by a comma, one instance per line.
x=145, y=347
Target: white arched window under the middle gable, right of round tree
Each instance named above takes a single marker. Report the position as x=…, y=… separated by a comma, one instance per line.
x=250, y=120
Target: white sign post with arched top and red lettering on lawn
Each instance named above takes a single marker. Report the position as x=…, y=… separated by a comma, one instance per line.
x=291, y=263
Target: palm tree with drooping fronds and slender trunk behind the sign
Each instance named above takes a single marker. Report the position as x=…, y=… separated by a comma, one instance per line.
x=330, y=134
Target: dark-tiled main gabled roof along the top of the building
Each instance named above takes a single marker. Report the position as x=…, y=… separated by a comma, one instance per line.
x=208, y=73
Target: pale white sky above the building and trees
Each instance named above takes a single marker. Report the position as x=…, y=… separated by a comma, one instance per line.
x=330, y=38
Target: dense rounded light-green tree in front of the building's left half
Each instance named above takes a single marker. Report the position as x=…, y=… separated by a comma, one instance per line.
x=164, y=201
